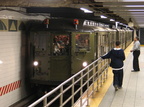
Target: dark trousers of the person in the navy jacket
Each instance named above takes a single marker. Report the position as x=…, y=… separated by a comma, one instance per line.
x=118, y=77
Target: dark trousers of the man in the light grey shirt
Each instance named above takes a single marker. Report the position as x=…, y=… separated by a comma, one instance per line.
x=136, y=60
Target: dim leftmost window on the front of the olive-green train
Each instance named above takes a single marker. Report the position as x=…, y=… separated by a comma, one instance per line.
x=40, y=41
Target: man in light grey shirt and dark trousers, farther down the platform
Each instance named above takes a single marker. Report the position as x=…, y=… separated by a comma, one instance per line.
x=136, y=53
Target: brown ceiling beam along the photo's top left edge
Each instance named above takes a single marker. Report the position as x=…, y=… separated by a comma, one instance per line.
x=35, y=3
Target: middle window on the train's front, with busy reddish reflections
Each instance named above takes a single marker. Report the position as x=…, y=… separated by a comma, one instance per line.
x=61, y=45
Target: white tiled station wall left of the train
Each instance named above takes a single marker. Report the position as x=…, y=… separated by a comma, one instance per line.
x=10, y=55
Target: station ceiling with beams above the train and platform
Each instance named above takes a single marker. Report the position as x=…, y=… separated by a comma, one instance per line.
x=119, y=10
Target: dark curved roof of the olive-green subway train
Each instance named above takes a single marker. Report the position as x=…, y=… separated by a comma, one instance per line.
x=66, y=25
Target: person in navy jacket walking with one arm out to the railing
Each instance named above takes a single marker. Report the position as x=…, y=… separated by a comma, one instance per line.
x=117, y=57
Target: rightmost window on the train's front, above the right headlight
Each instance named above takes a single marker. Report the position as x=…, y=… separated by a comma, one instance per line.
x=82, y=42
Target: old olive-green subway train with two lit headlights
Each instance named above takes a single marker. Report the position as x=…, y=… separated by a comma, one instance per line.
x=59, y=48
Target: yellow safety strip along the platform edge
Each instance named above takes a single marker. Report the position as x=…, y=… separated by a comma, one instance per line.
x=94, y=102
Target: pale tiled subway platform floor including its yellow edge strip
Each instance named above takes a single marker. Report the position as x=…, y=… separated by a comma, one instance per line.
x=132, y=92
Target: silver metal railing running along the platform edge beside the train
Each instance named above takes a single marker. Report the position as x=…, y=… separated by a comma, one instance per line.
x=93, y=76
